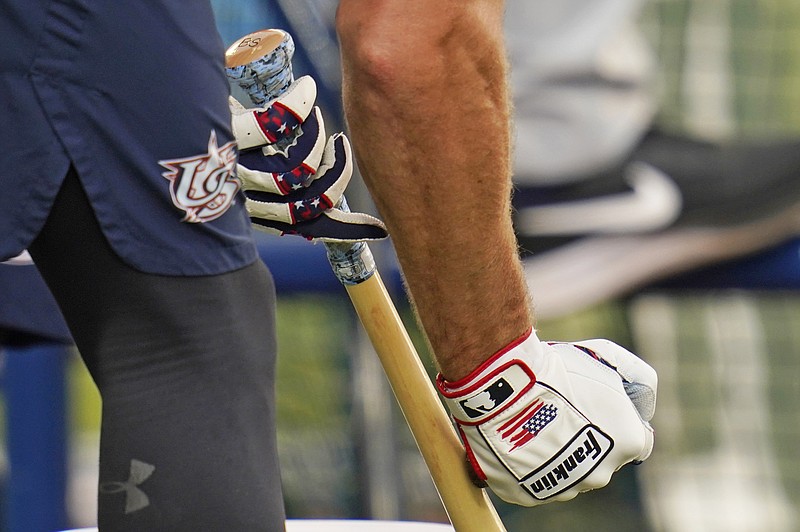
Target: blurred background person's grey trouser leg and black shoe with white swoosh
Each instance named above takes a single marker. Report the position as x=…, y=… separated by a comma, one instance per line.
x=608, y=201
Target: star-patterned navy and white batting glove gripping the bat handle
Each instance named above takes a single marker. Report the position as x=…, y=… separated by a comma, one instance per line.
x=293, y=175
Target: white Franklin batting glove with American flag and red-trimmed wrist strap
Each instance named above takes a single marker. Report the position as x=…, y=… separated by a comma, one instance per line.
x=544, y=421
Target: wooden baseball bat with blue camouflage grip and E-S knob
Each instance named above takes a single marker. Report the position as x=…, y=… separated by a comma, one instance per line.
x=467, y=506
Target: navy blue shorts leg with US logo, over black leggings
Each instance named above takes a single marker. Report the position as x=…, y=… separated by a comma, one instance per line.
x=134, y=96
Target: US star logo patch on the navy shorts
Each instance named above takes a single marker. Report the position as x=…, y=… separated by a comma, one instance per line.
x=203, y=186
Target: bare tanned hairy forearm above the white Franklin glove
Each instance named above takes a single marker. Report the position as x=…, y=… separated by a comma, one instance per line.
x=427, y=104
